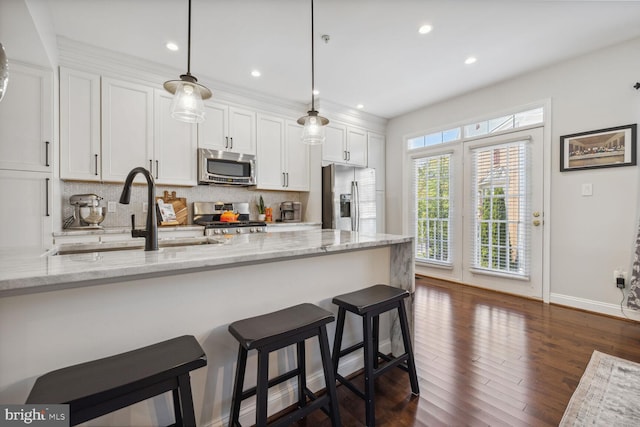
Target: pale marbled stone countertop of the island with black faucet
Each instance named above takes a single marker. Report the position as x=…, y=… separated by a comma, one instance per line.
x=29, y=271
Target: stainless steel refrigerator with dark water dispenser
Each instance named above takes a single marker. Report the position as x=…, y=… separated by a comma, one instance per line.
x=349, y=198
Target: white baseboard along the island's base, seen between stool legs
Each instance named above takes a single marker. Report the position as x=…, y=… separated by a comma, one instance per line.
x=286, y=396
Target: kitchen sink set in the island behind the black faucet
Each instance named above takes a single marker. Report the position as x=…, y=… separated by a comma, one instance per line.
x=138, y=244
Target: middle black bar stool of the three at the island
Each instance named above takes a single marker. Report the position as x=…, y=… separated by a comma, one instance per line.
x=274, y=331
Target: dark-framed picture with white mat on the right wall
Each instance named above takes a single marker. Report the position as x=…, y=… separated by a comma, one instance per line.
x=602, y=148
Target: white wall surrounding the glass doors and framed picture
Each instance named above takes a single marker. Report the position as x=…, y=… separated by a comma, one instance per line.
x=590, y=236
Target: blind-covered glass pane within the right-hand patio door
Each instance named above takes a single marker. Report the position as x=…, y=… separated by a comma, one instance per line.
x=500, y=180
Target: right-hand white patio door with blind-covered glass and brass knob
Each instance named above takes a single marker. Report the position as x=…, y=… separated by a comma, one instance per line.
x=503, y=213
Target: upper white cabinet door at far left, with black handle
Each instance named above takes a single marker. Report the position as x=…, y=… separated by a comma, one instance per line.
x=26, y=120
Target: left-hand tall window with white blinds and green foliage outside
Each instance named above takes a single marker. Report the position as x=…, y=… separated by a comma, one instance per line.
x=432, y=183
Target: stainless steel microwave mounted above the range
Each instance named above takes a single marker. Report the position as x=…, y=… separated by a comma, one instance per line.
x=223, y=167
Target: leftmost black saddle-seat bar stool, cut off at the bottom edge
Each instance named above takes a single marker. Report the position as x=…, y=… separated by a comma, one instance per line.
x=96, y=388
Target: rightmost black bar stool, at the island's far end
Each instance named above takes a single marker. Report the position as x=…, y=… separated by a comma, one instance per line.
x=370, y=303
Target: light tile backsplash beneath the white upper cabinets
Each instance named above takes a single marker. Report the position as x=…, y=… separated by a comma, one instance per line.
x=200, y=193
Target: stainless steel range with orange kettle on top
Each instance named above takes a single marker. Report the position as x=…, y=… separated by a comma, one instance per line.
x=219, y=218
